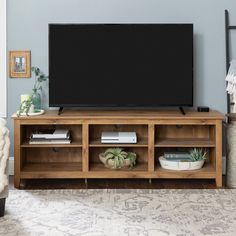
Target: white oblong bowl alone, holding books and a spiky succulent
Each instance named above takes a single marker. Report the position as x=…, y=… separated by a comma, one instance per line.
x=180, y=165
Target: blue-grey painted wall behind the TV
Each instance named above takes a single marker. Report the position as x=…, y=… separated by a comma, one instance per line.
x=28, y=30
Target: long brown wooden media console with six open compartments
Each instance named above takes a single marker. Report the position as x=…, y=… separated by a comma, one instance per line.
x=157, y=132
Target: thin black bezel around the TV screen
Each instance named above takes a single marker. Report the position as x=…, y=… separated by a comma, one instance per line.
x=120, y=106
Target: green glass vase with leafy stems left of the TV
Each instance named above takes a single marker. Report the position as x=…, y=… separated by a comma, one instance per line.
x=40, y=77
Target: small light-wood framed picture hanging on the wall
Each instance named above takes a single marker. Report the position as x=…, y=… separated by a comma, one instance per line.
x=19, y=64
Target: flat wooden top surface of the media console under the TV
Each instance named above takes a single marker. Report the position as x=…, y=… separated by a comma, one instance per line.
x=126, y=114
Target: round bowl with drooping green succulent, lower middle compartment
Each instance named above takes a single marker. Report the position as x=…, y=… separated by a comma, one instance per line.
x=116, y=158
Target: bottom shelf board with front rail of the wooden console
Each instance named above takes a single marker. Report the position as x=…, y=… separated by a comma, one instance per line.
x=97, y=170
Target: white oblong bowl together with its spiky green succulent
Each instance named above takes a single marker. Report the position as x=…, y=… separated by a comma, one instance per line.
x=196, y=161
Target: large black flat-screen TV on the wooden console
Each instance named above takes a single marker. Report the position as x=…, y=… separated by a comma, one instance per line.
x=120, y=65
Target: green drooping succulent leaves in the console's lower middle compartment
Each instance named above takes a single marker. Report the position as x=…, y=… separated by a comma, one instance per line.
x=118, y=155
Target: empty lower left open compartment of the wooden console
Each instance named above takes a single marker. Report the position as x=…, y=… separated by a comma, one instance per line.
x=62, y=162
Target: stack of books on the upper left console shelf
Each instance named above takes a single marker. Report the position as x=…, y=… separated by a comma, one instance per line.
x=58, y=136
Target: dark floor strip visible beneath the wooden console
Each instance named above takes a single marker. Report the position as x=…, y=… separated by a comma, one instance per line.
x=116, y=184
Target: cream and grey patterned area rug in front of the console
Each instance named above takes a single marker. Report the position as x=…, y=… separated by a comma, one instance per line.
x=120, y=212
